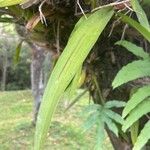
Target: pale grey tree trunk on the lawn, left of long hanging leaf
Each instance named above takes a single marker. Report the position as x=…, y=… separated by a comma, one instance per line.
x=37, y=84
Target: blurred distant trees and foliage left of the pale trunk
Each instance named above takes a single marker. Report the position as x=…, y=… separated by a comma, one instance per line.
x=18, y=76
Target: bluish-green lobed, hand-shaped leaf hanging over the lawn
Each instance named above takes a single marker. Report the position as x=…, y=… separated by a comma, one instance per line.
x=100, y=116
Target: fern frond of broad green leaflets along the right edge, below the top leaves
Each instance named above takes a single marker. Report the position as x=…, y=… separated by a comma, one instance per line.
x=139, y=103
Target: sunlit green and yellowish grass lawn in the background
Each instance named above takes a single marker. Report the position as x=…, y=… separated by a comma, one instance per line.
x=17, y=132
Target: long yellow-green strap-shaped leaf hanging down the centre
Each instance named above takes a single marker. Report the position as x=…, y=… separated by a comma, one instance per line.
x=79, y=45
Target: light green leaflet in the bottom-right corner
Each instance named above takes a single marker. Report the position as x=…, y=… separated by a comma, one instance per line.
x=143, y=137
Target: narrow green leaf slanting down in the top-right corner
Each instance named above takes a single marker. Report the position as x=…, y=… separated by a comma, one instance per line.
x=140, y=14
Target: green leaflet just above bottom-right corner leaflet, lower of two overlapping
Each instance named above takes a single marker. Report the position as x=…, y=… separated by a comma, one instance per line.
x=142, y=109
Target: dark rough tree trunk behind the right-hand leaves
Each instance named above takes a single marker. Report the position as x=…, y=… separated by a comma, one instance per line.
x=104, y=62
